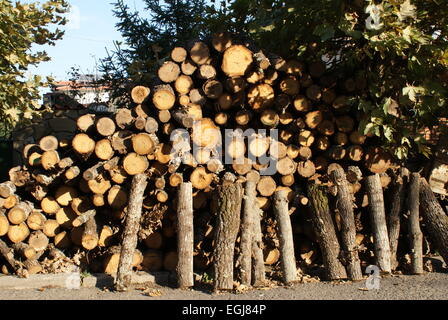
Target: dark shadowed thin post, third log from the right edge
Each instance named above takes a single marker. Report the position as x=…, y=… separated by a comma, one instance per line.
x=397, y=199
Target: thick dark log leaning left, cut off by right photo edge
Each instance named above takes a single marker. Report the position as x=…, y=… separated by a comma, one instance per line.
x=435, y=219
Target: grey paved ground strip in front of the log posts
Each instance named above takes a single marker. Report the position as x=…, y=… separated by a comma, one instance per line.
x=428, y=286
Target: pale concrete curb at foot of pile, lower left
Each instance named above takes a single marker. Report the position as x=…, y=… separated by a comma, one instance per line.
x=74, y=280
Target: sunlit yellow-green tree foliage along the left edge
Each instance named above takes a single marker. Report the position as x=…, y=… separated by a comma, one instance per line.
x=23, y=26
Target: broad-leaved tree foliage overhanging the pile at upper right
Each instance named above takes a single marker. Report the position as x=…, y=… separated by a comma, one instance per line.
x=399, y=45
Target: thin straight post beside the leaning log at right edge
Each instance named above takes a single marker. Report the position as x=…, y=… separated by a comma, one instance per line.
x=415, y=234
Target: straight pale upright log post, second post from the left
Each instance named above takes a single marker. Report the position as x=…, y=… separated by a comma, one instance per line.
x=185, y=243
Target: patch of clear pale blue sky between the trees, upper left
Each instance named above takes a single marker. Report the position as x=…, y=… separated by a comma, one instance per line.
x=90, y=30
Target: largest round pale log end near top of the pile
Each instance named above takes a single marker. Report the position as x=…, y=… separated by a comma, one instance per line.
x=236, y=61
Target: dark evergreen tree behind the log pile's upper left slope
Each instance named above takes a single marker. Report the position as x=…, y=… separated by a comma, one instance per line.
x=148, y=37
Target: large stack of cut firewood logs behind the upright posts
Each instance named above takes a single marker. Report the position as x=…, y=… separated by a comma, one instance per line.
x=74, y=194
